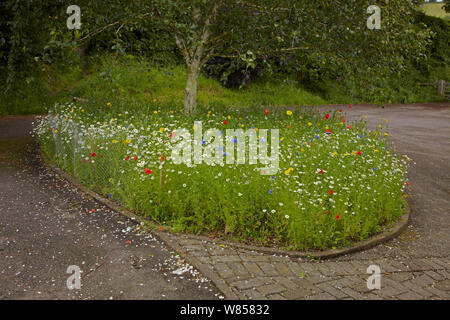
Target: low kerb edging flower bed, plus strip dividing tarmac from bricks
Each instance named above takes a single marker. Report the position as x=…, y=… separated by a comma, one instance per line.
x=170, y=238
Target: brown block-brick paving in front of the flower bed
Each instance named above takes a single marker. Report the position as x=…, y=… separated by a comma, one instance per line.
x=243, y=274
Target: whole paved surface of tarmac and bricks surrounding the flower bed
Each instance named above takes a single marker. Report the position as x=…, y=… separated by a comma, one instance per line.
x=416, y=265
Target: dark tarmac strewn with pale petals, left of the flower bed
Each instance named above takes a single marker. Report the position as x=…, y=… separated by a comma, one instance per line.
x=46, y=226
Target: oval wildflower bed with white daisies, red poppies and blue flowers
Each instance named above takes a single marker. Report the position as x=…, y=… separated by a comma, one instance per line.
x=338, y=182
